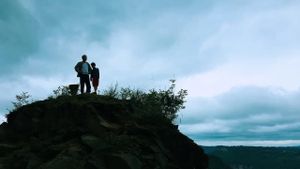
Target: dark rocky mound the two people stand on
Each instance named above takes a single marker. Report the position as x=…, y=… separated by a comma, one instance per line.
x=93, y=132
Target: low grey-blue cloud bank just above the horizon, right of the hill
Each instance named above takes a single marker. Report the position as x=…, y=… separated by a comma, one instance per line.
x=248, y=112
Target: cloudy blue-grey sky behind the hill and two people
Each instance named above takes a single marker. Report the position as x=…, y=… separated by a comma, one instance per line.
x=238, y=59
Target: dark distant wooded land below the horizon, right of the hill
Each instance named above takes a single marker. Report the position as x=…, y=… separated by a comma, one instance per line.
x=242, y=157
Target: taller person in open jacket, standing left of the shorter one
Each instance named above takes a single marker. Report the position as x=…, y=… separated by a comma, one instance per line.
x=83, y=69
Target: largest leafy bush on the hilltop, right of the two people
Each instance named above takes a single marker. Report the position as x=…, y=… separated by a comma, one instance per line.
x=166, y=102
